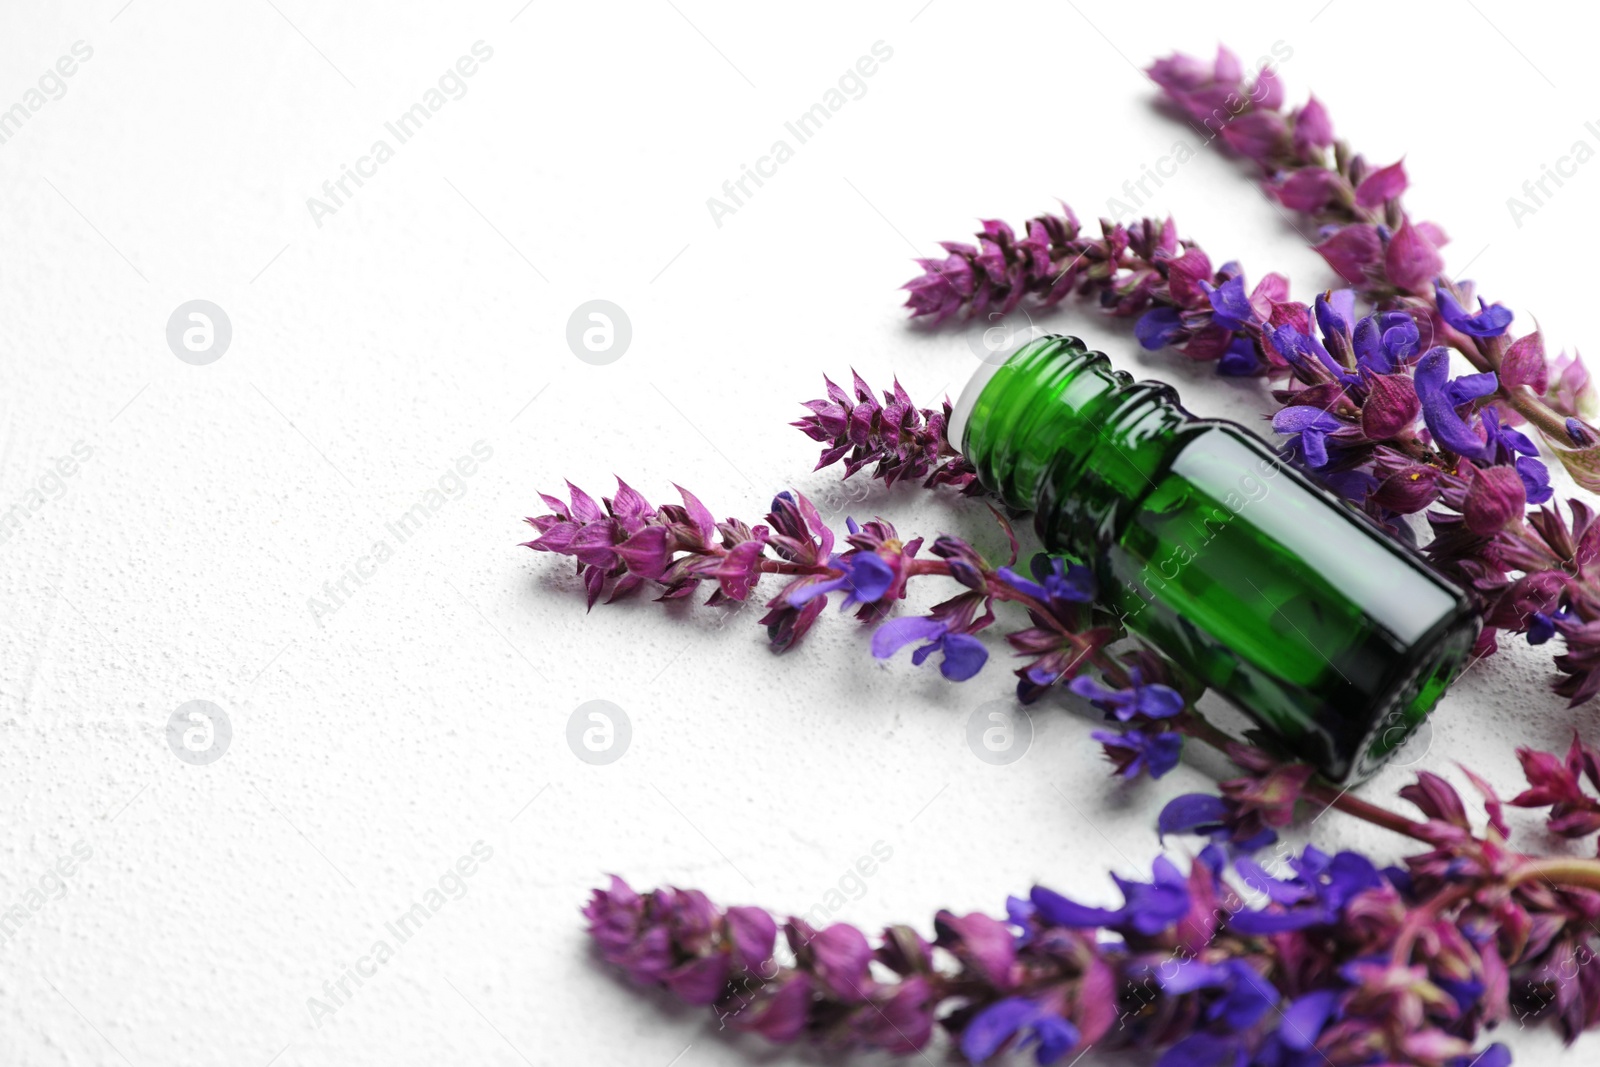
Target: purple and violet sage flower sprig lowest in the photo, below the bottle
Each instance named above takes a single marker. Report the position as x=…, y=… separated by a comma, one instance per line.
x=1329, y=959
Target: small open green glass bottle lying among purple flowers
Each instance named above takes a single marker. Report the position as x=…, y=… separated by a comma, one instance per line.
x=1270, y=589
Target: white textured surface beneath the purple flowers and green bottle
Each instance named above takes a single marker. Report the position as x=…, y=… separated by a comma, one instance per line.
x=374, y=748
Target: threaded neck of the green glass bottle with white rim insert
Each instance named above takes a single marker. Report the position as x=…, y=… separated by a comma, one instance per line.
x=1057, y=431
